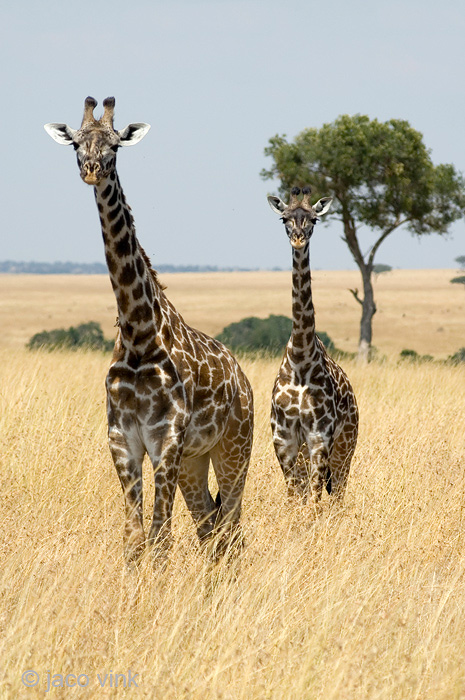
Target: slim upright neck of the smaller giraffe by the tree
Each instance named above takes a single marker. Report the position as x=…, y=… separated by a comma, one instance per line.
x=303, y=338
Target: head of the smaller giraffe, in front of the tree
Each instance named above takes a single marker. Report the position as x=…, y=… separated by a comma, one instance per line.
x=299, y=216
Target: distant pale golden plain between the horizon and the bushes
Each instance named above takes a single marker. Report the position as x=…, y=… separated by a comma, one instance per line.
x=417, y=309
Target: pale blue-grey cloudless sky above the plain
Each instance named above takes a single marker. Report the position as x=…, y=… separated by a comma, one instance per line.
x=215, y=79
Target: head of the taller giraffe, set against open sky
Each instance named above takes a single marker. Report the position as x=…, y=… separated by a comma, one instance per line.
x=97, y=142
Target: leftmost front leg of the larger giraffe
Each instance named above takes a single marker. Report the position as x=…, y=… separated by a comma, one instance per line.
x=127, y=457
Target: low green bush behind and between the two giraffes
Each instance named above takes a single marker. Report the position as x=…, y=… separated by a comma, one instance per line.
x=269, y=335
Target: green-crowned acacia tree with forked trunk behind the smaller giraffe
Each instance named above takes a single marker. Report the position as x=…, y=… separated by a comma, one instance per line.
x=380, y=175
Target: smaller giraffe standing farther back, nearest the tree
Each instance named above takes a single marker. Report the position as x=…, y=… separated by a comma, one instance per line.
x=314, y=415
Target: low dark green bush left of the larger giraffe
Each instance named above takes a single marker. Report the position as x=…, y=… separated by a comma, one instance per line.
x=88, y=336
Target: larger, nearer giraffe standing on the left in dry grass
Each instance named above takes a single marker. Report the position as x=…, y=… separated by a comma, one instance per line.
x=172, y=391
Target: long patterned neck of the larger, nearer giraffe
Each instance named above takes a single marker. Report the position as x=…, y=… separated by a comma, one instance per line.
x=136, y=289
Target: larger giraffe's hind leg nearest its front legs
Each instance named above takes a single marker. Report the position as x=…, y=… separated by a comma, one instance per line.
x=193, y=482
